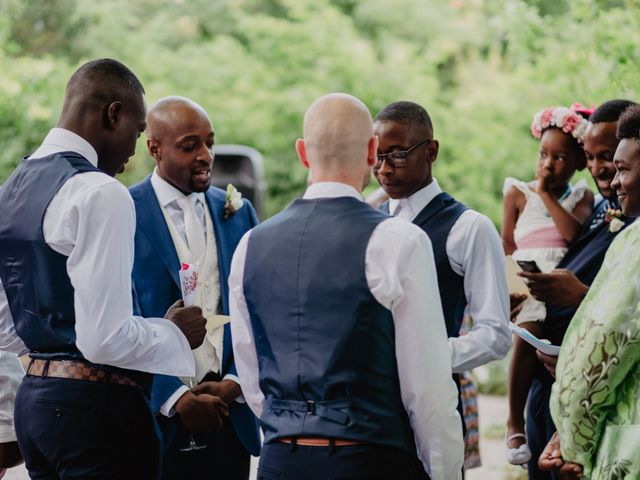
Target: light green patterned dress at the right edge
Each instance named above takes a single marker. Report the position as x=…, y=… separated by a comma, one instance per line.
x=595, y=401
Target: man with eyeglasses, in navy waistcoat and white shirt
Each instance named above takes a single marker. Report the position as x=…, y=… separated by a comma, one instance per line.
x=466, y=245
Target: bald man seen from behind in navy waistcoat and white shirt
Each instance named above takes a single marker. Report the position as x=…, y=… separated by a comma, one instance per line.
x=335, y=314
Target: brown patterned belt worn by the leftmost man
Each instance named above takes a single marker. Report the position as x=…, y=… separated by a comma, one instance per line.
x=76, y=370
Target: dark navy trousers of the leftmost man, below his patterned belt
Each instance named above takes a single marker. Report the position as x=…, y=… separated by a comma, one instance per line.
x=75, y=429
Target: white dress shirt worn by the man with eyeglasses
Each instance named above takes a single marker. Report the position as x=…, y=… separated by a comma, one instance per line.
x=475, y=252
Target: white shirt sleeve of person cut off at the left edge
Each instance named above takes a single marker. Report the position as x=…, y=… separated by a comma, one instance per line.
x=11, y=374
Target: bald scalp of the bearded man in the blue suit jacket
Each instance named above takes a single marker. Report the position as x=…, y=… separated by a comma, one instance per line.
x=167, y=112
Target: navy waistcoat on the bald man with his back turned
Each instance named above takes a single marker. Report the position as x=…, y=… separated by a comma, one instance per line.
x=326, y=347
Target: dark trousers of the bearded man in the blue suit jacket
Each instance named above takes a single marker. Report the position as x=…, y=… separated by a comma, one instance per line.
x=224, y=458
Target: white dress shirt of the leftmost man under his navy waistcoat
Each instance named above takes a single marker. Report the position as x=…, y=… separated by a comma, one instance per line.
x=91, y=220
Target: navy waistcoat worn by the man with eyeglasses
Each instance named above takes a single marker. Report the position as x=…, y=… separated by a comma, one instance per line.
x=437, y=220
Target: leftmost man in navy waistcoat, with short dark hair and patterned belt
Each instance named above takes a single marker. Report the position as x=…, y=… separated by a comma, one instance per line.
x=66, y=253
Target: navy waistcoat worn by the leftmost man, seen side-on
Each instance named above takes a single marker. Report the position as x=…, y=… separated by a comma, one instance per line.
x=34, y=276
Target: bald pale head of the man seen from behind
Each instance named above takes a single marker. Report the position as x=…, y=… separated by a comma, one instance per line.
x=337, y=131
